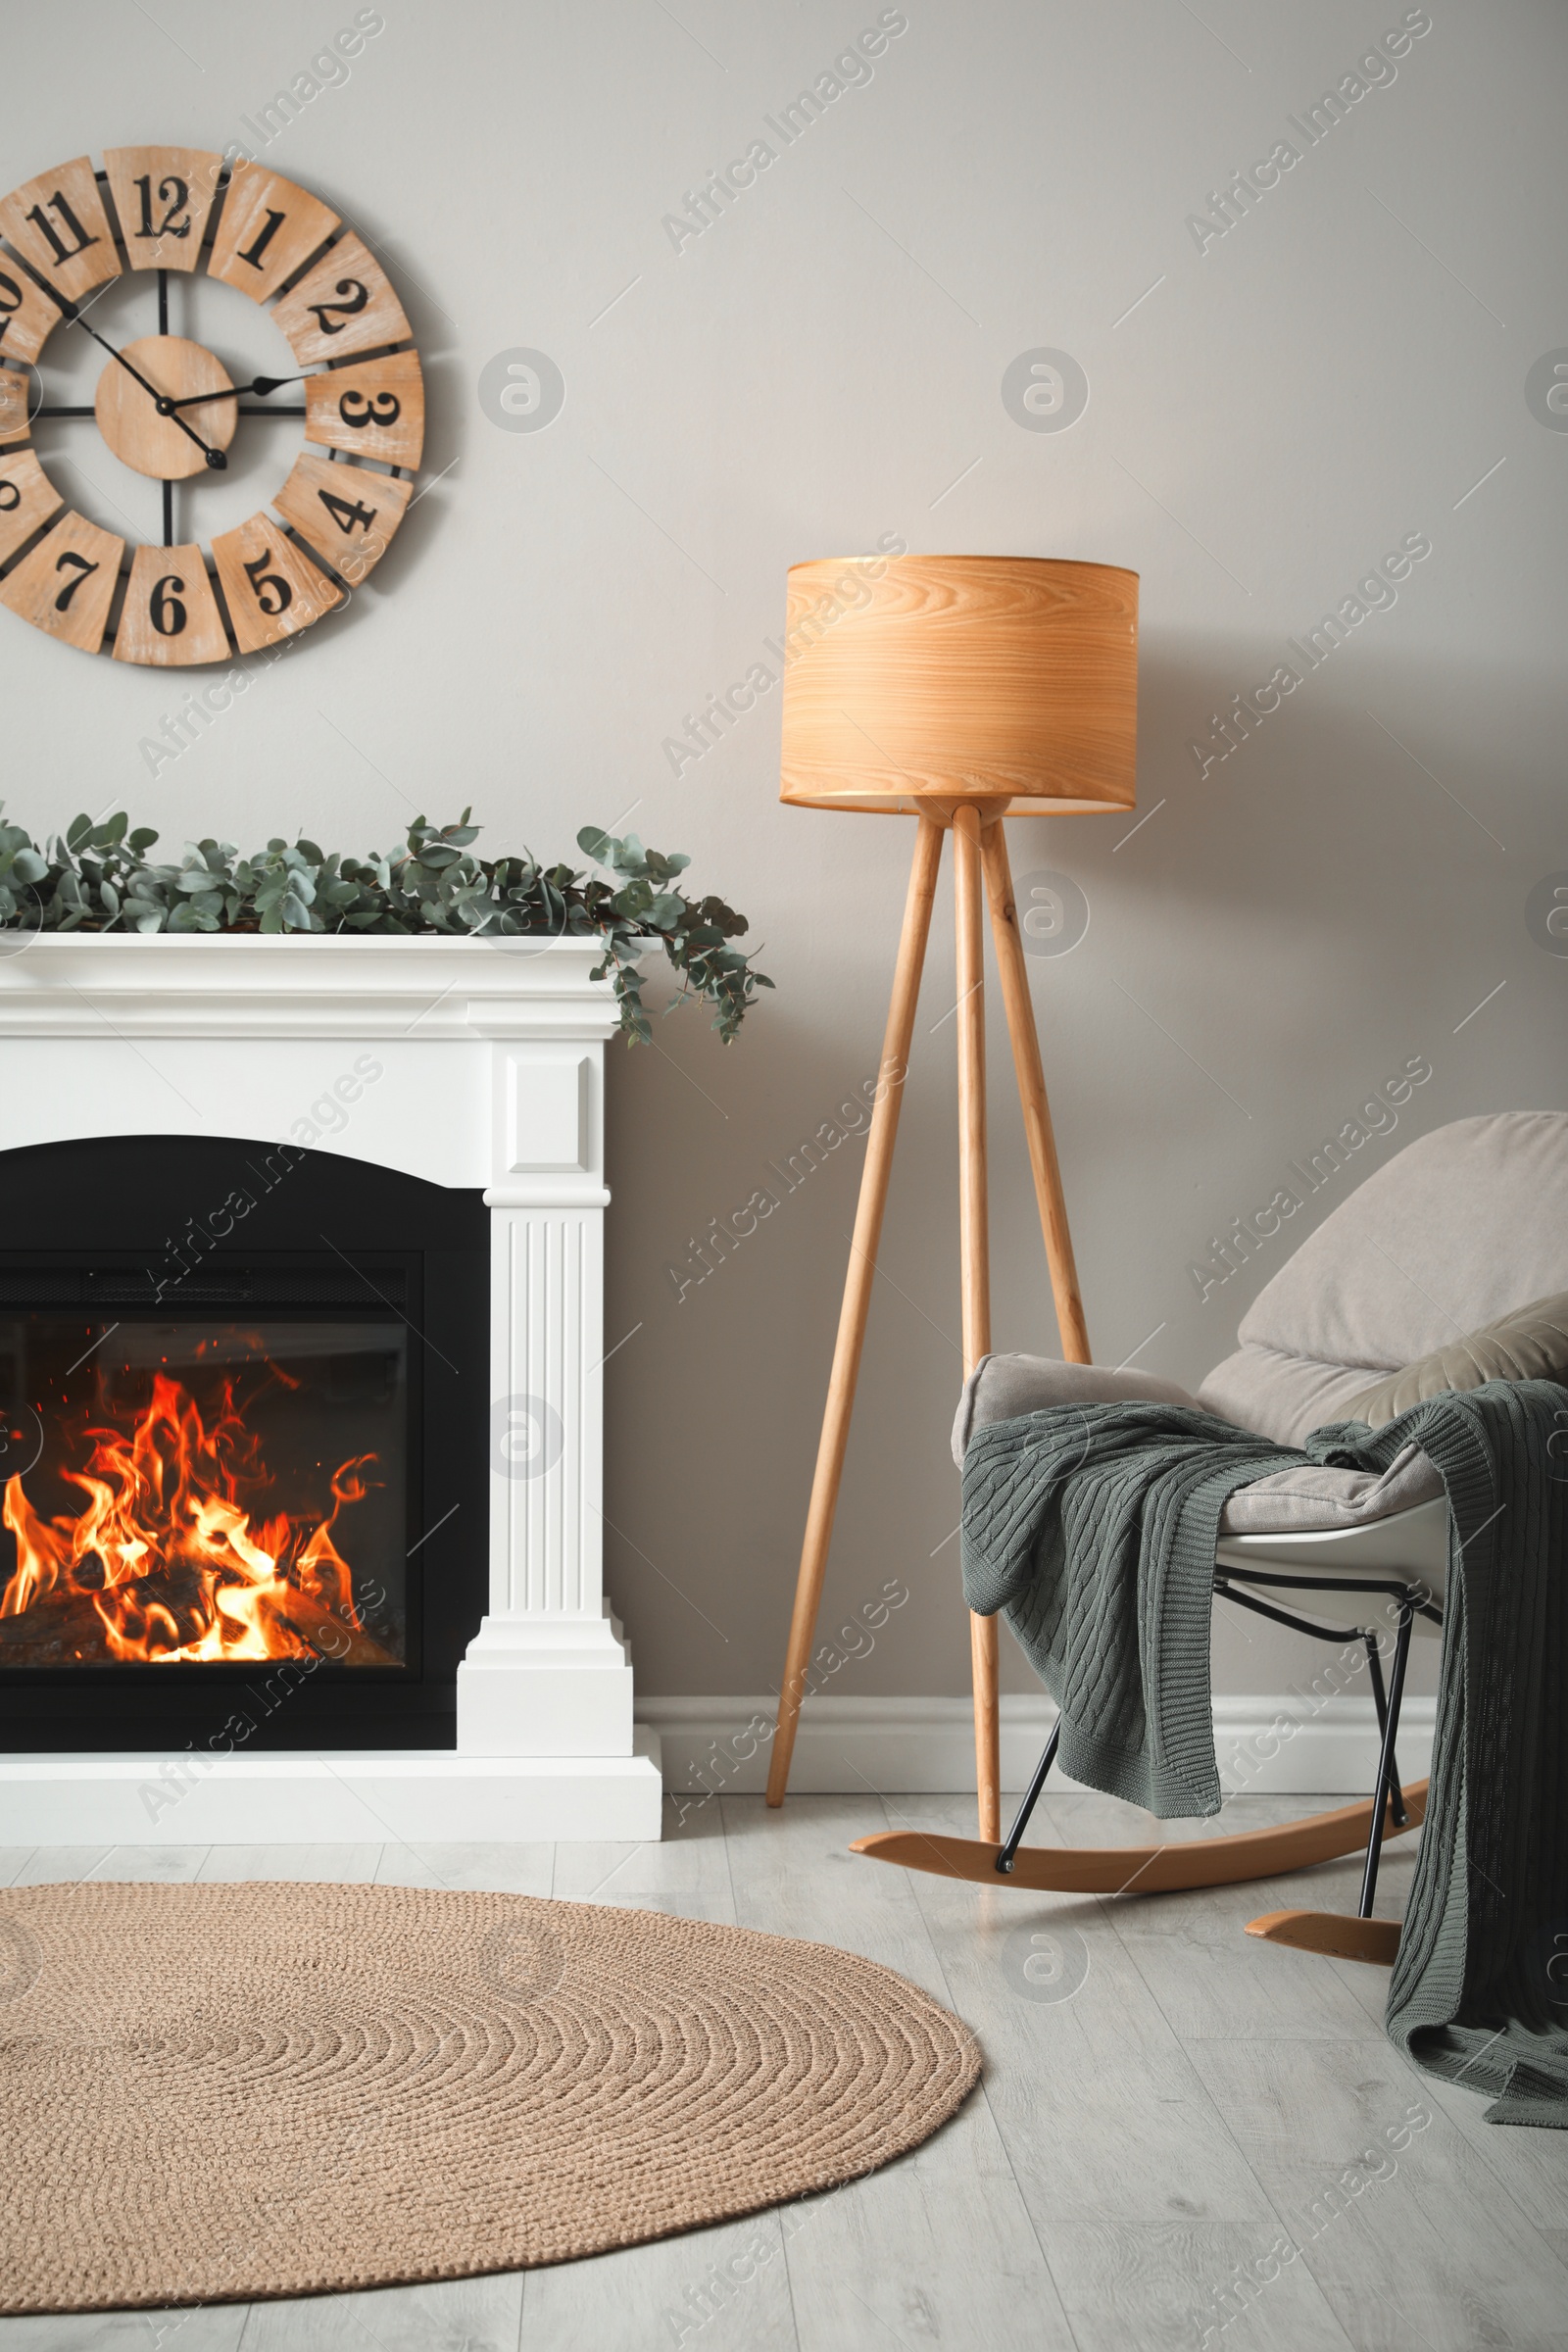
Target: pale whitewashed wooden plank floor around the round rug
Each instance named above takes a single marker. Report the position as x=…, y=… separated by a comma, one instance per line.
x=1181, y=2137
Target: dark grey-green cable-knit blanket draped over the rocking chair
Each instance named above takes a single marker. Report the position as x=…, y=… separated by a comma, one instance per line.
x=1094, y=1530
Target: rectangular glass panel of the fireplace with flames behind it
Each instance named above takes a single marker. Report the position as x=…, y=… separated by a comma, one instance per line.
x=201, y=1492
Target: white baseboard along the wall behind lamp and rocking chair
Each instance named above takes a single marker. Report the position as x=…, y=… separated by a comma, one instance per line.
x=925, y=1746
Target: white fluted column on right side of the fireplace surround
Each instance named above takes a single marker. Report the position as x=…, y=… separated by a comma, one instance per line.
x=549, y=1673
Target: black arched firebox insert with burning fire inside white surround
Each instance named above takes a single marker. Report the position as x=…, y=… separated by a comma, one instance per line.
x=243, y=1422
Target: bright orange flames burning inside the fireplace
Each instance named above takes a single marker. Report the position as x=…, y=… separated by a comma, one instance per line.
x=166, y=1553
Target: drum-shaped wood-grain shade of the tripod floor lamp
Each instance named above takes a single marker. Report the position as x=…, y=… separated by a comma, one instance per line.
x=1007, y=681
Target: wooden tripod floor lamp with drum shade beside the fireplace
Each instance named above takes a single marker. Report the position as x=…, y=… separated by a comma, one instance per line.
x=958, y=690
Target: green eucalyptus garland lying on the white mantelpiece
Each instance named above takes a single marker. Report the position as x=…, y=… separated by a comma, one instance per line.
x=102, y=878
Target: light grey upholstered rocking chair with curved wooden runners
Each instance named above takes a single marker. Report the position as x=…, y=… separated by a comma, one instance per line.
x=1369, y=1316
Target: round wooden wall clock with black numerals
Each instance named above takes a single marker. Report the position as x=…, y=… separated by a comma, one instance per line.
x=173, y=410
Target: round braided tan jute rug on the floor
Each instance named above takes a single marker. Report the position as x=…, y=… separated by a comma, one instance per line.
x=272, y=2090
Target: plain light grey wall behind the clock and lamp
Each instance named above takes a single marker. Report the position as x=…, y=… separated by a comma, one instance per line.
x=822, y=368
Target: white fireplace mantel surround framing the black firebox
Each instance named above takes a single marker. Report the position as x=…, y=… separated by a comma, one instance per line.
x=488, y=1074
